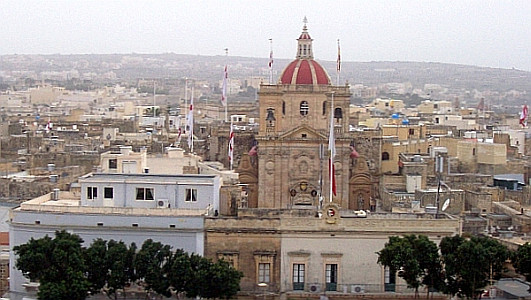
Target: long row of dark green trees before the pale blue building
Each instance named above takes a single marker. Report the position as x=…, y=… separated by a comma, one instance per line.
x=66, y=270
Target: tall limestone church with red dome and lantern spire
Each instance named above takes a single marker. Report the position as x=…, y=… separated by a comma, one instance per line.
x=291, y=166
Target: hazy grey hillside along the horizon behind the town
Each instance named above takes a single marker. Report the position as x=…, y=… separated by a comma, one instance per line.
x=130, y=67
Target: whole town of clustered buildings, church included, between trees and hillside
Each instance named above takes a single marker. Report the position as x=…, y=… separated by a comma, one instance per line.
x=114, y=164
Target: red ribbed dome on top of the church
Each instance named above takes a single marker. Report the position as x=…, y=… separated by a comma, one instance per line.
x=304, y=71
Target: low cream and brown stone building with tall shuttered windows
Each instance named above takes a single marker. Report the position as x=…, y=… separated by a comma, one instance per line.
x=297, y=241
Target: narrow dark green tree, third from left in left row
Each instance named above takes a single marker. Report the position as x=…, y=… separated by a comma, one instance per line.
x=151, y=263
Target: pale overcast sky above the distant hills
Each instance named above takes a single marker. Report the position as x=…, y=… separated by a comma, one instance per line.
x=484, y=33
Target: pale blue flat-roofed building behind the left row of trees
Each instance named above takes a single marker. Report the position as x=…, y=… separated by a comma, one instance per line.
x=128, y=207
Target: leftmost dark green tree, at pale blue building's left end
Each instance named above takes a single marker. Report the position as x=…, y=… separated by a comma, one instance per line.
x=62, y=275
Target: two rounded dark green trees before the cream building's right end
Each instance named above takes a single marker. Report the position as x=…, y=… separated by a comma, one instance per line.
x=463, y=267
